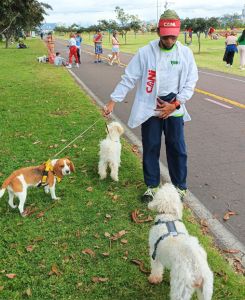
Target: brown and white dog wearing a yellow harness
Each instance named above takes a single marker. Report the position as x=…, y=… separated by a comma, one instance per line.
x=20, y=180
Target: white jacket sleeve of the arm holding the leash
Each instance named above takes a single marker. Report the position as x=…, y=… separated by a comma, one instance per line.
x=133, y=72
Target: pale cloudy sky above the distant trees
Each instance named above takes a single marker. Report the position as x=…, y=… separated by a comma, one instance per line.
x=88, y=12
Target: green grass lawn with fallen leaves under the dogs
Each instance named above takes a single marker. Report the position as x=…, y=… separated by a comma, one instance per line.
x=41, y=110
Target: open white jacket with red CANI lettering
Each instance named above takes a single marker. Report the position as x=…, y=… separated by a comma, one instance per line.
x=144, y=68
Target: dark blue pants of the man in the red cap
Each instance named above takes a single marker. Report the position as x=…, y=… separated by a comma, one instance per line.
x=173, y=128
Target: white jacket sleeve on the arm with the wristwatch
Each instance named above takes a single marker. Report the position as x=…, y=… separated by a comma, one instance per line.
x=192, y=76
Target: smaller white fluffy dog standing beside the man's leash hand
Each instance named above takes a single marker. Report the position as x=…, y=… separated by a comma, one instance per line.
x=110, y=151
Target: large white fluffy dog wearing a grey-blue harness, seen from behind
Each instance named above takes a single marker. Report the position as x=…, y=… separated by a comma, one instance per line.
x=172, y=247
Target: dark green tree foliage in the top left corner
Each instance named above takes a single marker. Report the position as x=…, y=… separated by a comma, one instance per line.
x=19, y=15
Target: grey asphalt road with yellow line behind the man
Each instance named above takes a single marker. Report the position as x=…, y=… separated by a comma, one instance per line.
x=215, y=137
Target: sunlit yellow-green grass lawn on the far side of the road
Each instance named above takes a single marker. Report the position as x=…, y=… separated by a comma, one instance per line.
x=211, y=55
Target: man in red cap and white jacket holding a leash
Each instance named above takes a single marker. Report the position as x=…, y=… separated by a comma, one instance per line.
x=167, y=74
